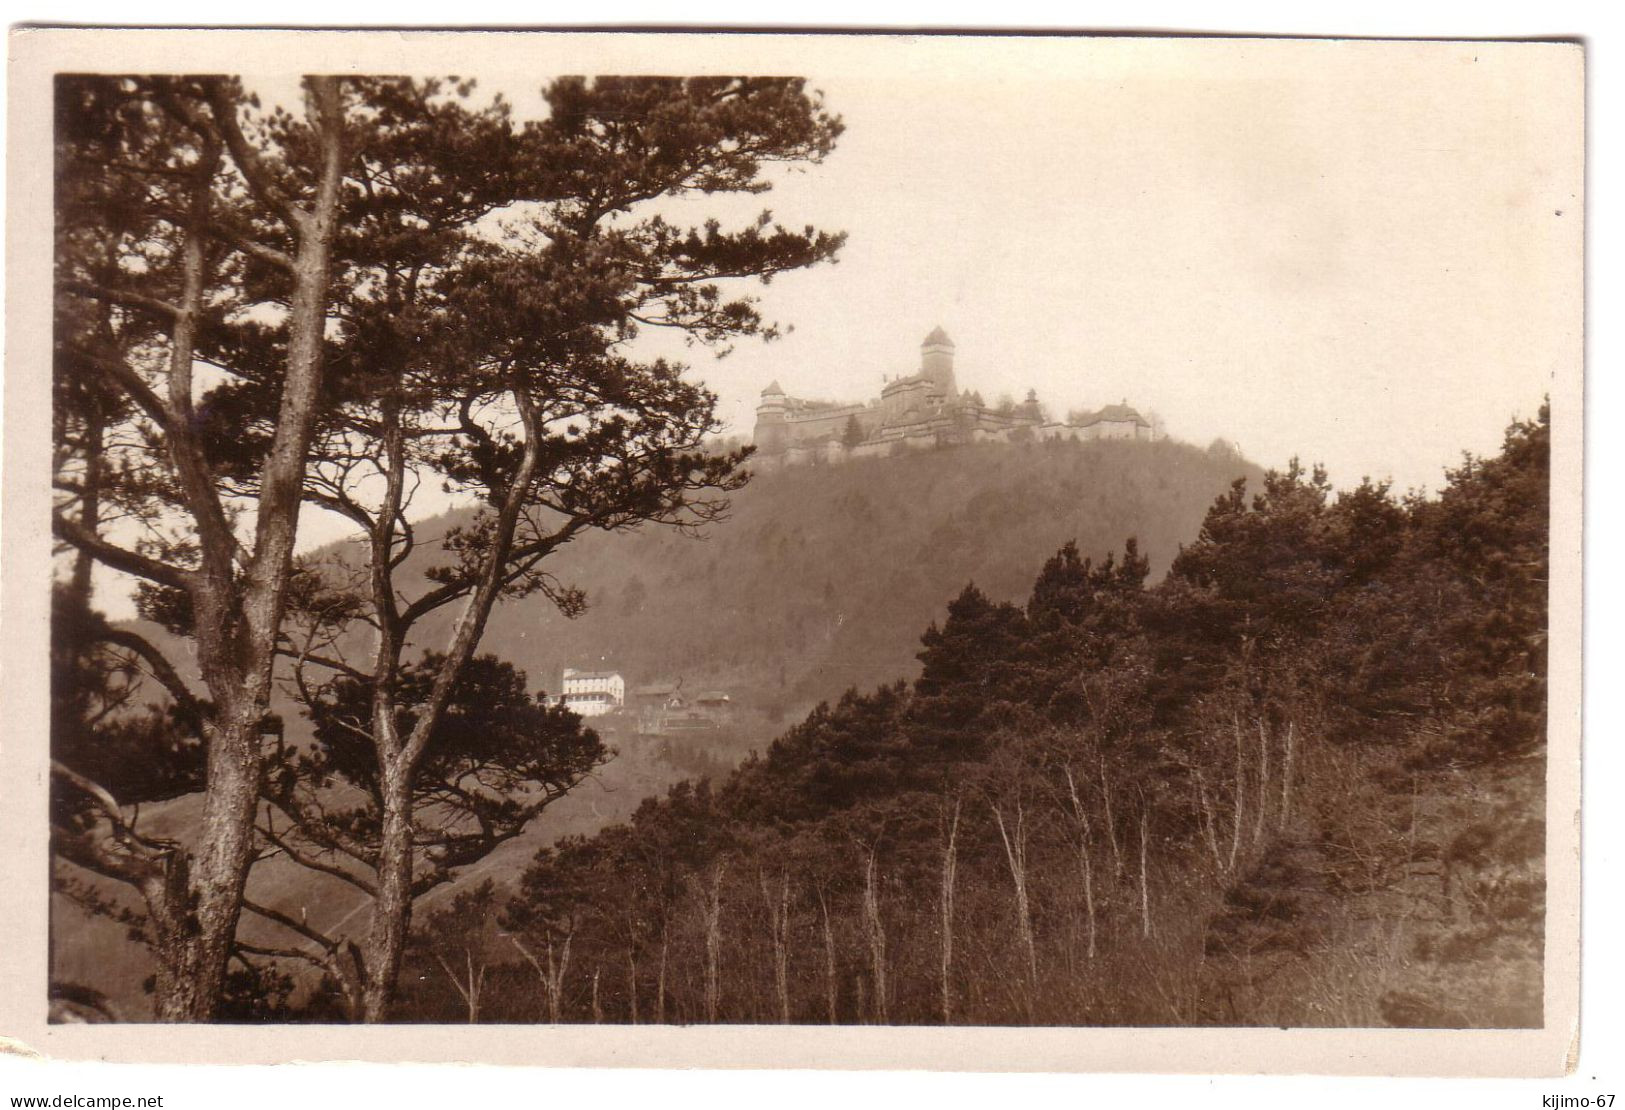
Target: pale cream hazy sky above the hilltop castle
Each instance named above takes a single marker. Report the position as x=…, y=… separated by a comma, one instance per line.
x=1351, y=253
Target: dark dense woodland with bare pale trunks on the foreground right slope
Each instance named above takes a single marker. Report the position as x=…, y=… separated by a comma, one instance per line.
x=1299, y=783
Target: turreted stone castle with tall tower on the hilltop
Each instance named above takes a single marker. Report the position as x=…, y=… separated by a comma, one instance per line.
x=921, y=410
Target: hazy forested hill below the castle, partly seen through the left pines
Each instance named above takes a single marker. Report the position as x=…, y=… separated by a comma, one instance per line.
x=818, y=581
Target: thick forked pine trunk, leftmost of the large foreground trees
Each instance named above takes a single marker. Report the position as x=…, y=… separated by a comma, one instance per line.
x=240, y=617
